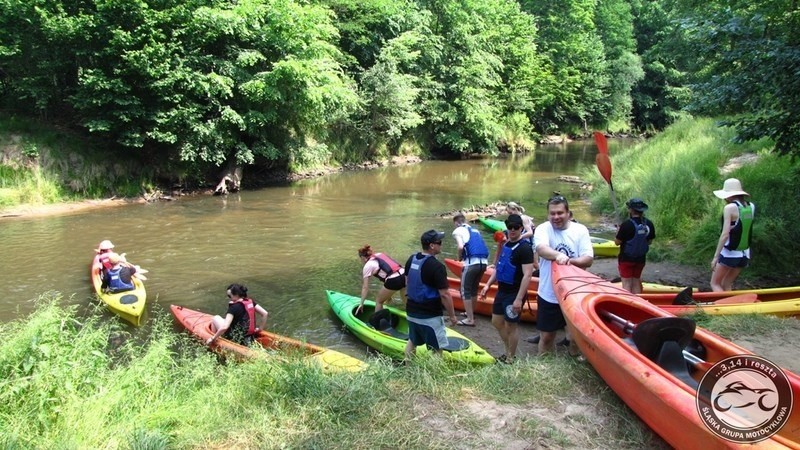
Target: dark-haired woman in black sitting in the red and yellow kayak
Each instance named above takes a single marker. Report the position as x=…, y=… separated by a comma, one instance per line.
x=239, y=324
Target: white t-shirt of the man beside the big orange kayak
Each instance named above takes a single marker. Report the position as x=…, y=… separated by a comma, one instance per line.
x=573, y=242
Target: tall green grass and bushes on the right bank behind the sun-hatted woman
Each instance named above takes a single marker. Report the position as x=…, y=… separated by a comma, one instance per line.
x=676, y=173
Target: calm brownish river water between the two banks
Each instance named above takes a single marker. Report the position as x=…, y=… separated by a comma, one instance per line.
x=287, y=244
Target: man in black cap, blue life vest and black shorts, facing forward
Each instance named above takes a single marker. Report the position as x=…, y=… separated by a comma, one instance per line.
x=513, y=275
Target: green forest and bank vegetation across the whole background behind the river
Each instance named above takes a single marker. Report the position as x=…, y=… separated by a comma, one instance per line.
x=102, y=98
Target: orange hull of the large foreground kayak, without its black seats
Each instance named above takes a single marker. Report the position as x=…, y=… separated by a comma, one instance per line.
x=659, y=398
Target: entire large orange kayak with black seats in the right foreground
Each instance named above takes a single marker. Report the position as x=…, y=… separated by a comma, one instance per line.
x=639, y=350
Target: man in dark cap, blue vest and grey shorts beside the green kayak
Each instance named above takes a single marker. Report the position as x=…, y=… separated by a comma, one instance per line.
x=427, y=293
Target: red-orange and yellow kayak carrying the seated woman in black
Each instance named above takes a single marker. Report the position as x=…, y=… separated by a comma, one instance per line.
x=199, y=324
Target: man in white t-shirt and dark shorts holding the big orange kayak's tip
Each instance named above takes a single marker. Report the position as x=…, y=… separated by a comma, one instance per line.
x=560, y=241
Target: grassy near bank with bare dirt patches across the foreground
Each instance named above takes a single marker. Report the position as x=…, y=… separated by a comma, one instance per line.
x=81, y=381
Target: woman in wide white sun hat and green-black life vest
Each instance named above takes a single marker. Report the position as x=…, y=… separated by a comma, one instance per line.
x=733, y=248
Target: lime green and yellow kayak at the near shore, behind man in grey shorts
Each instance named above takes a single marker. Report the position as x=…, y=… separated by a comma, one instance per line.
x=392, y=340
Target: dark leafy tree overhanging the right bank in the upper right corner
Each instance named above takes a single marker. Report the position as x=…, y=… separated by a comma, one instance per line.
x=747, y=58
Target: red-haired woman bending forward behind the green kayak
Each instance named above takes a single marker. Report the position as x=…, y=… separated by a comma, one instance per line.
x=384, y=268
